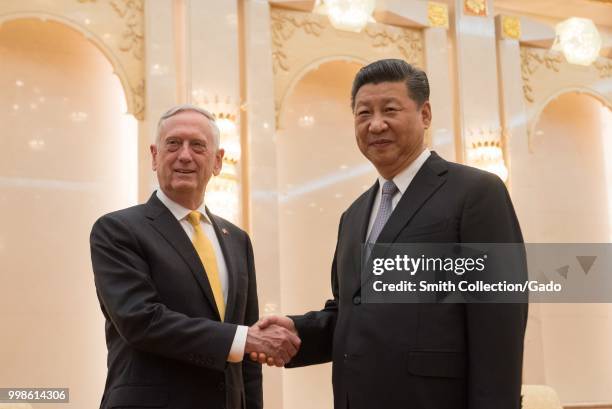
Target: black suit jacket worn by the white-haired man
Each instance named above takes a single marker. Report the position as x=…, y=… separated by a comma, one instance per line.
x=166, y=345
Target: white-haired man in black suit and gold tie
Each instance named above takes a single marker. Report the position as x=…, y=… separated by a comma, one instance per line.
x=177, y=287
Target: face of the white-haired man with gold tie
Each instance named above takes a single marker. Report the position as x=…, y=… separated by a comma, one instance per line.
x=186, y=156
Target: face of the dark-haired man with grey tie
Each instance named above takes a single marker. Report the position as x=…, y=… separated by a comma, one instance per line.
x=389, y=126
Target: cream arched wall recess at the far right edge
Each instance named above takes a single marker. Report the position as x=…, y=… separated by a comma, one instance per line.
x=563, y=195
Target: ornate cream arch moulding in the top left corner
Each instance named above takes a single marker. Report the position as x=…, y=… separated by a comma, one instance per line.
x=116, y=27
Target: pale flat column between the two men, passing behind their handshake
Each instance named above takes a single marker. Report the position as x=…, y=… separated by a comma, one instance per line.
x=262, y=172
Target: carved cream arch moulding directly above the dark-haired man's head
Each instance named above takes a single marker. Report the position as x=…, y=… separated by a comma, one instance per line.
x=303, y=41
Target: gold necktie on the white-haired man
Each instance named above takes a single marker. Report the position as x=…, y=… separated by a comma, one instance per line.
x=206, y=252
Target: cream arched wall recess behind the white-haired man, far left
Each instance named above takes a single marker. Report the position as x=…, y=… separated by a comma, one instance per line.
x=69, y=155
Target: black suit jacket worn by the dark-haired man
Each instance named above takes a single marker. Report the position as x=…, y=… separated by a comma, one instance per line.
x=421, y=356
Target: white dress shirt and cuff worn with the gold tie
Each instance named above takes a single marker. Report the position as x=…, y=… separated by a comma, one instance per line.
x=180, y=213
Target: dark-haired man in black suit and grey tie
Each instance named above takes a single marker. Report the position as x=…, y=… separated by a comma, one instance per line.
x=417, y=356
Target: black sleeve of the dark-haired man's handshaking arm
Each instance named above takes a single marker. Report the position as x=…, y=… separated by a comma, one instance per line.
x=316, y=328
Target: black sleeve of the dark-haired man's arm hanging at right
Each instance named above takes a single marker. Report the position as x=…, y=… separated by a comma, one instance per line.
x=495, y=331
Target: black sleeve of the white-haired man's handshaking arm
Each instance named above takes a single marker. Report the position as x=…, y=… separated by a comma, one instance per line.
x=131, y=302
